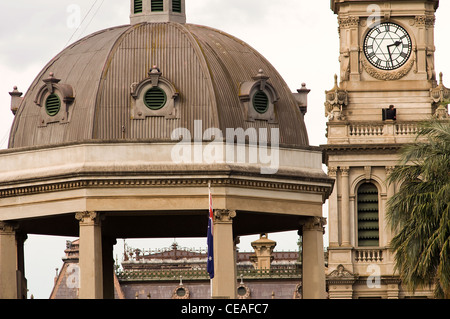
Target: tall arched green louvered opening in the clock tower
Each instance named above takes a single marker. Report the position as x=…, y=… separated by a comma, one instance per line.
x=368, y=229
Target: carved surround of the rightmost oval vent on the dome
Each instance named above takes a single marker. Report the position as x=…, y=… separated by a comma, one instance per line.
x=247, y=91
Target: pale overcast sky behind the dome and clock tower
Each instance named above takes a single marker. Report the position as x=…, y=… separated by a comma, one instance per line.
x=299, y=37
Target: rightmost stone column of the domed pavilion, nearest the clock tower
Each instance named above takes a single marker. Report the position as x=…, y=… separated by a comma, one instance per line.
x=313, y=261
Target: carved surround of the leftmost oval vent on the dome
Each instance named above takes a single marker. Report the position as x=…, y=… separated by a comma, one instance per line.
x=65, y=94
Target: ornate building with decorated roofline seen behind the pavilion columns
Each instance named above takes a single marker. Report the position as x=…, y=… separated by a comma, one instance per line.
x=180, y=273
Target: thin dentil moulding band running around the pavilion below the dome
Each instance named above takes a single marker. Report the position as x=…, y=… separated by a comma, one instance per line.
x=136, y=183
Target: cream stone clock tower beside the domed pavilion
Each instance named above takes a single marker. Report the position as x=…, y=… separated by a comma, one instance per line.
x=387, y=84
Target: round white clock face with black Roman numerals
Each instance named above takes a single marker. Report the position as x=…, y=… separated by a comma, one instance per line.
x=387, y=46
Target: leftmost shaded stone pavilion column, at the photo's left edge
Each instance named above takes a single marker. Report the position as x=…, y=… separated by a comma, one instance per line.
x=8, y=261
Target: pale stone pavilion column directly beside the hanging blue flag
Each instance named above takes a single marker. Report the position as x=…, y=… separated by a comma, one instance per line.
x=224, y=281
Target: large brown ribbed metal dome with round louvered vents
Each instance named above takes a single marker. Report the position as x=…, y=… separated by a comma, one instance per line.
x=144, y=80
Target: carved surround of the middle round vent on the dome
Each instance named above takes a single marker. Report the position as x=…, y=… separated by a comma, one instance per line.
x=139, y=110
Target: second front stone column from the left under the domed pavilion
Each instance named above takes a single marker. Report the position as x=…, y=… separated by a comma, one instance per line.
x=91, y=265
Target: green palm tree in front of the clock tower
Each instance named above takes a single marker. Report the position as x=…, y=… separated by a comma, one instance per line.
x=419, y=213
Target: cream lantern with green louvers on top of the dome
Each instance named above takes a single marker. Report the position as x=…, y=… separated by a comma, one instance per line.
x=157, y=11
